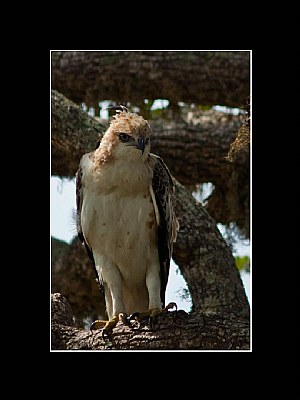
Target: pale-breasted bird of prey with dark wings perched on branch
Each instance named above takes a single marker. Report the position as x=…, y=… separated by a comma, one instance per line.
x=126, y=219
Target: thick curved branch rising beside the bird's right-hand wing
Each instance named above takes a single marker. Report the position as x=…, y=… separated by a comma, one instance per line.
x=205, y=260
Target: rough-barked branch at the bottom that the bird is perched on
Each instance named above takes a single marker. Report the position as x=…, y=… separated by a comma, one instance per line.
x=170, y=331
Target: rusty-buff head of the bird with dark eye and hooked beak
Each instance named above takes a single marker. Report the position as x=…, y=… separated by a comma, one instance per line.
x=128, y=135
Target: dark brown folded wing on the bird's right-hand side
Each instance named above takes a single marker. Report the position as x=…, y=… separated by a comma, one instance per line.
x=168, y=226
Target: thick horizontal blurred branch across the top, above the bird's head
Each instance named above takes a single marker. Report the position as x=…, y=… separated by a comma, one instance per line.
x=199, y=77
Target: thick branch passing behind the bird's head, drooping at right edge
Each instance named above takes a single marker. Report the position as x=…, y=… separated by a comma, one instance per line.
x=194, y=154
